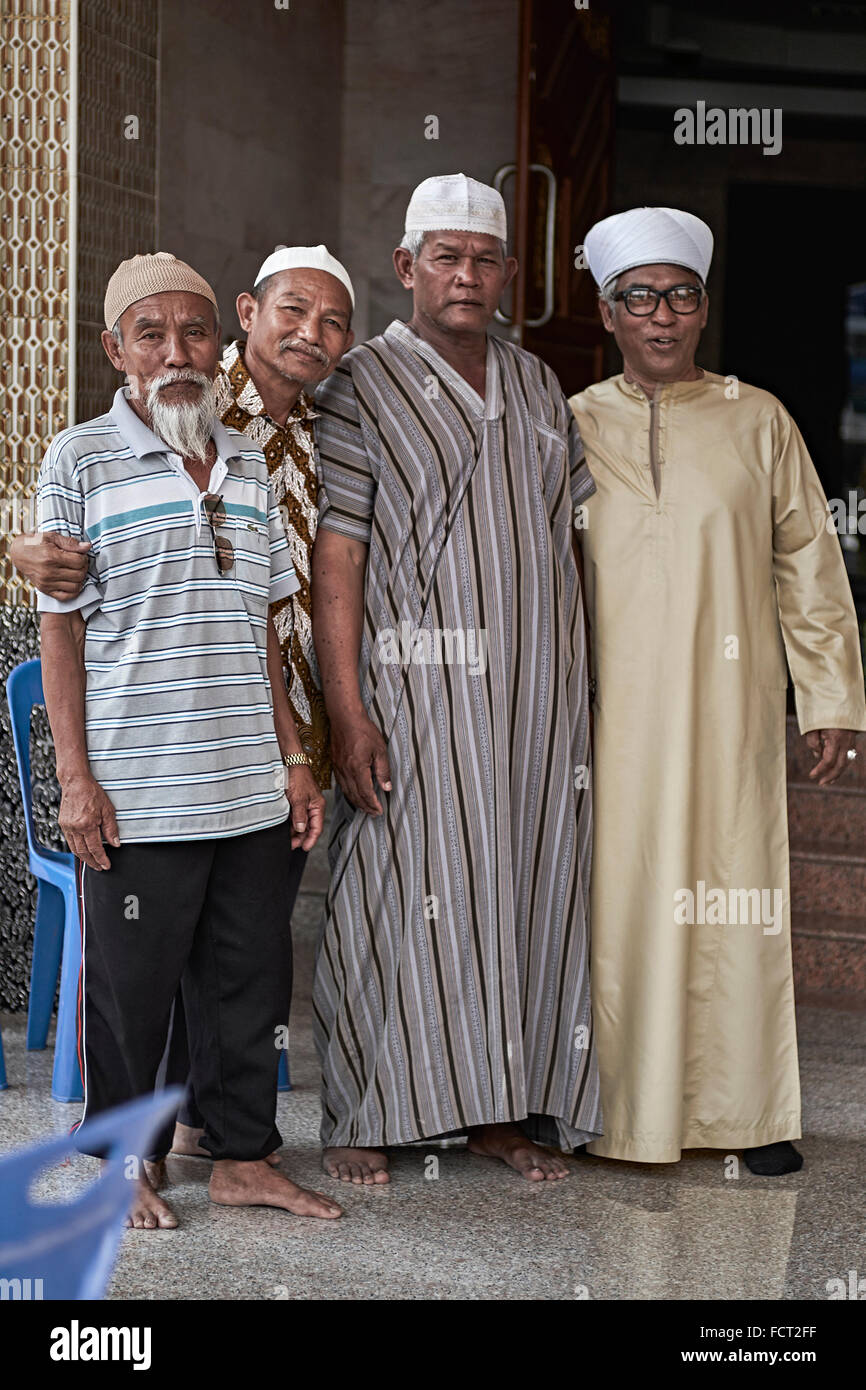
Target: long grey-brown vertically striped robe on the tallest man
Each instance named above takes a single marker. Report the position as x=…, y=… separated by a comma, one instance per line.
x=452, y=974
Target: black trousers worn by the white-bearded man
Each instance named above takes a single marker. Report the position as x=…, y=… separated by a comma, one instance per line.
x=213, y=914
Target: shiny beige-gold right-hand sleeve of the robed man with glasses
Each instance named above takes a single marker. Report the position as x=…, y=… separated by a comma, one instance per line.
x=815, y=604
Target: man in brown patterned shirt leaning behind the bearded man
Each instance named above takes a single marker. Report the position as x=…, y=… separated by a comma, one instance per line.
x=297, y=320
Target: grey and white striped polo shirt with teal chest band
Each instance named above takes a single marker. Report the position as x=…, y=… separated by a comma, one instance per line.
x=179, y=717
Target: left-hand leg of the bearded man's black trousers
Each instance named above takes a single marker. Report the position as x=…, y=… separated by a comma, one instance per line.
x=140, y=924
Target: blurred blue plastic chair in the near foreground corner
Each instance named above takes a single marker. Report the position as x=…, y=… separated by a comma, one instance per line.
x=69, y=1250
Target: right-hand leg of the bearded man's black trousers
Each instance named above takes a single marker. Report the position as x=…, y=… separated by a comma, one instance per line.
x=237, y=990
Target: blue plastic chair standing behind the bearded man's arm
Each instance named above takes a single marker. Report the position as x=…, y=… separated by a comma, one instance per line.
x=58, y=931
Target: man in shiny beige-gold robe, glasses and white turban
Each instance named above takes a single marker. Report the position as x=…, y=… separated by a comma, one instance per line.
x=708, y=558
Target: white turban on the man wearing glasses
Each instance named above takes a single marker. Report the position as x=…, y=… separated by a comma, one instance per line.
x=648, y=237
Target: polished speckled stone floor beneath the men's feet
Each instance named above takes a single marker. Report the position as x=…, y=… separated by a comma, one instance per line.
x=455, y=1227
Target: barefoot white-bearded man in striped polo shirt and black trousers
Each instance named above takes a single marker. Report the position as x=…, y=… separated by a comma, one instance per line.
x=172, y=723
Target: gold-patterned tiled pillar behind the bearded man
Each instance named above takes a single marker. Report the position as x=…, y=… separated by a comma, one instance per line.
x=116, y=155
